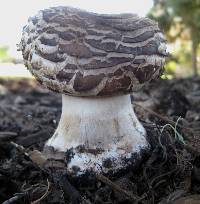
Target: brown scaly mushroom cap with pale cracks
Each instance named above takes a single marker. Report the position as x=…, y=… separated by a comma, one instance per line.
x=80, y=53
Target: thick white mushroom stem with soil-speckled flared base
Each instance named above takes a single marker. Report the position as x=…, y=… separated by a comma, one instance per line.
x=103, y=133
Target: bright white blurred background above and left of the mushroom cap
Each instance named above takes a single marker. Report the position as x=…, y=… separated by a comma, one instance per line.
x=14, y=15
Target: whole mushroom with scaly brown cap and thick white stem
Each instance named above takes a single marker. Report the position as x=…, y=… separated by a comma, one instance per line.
x=95, y=61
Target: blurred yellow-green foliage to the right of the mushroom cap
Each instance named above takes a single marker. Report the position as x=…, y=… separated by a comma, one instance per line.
x=180, y=20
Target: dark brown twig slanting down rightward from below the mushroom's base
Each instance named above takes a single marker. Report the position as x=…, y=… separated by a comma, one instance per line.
x=108, y=182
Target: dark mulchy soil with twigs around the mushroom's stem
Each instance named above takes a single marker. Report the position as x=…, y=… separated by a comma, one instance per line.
x=169, y=173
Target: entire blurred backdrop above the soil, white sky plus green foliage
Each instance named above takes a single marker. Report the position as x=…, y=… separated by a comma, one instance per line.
x=179, y=20
